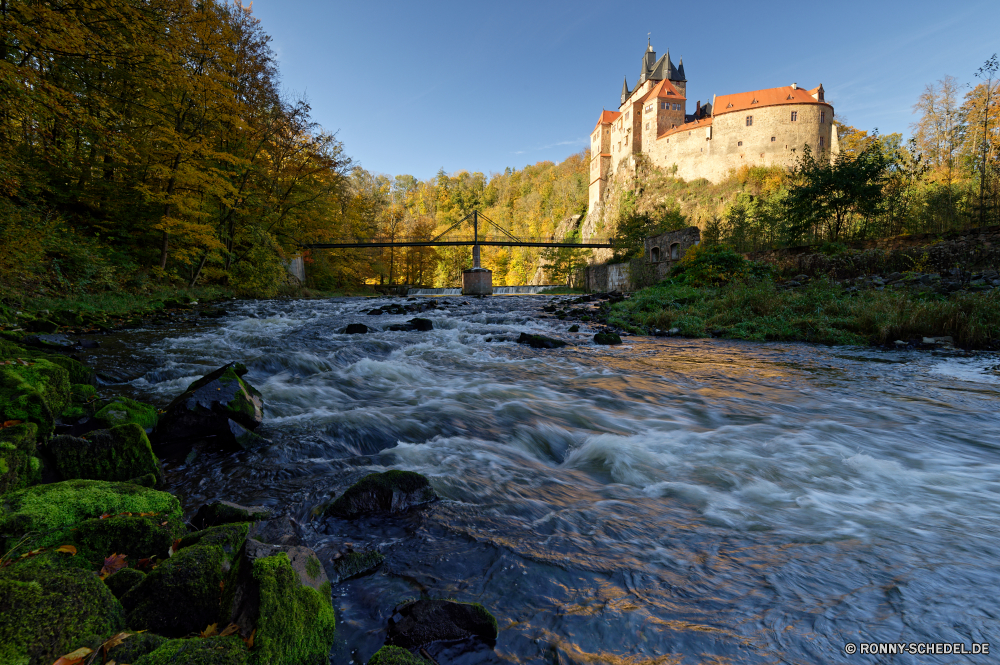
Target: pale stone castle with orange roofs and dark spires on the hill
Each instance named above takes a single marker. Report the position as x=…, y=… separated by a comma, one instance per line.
x=760, y=128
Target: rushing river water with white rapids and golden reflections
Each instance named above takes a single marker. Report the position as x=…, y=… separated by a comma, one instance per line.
x=662, y=501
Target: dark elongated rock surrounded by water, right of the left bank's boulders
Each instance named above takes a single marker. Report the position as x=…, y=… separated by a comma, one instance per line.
x=392, y=491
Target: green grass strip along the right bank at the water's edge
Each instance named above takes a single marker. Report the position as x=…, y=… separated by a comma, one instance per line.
x=822, y=312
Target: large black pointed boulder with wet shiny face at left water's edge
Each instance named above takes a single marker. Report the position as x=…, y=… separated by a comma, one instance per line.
x=220, y=406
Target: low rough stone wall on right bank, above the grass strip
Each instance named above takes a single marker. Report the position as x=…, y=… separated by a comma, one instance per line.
x=967, y=250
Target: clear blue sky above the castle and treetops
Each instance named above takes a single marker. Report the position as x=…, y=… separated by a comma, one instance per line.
x=412, y=87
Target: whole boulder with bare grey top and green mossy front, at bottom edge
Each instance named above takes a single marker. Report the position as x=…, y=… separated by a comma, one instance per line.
x=281, y=597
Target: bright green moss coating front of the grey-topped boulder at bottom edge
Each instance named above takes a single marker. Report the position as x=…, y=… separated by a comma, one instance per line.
x=296, y=623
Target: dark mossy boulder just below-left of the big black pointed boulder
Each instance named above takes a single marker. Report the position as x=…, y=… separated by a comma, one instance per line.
x=118, y=454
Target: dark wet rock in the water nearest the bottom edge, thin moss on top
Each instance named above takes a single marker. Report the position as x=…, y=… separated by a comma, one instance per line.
x=422, y=622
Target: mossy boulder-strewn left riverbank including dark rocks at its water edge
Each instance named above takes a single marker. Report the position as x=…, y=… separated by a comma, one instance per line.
x=100, y=564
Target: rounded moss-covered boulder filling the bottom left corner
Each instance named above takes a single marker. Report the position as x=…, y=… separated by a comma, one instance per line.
x=49, y=611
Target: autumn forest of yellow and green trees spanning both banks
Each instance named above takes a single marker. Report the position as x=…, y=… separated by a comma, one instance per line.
x=148, y=143
